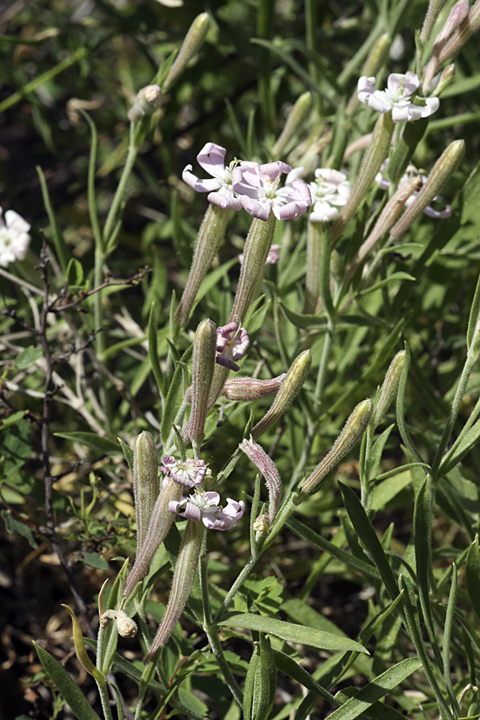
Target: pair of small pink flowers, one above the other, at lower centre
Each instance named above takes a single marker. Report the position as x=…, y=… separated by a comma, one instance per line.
x=200, y=505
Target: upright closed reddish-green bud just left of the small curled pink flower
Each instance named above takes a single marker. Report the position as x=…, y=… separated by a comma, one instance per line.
x=203, y=364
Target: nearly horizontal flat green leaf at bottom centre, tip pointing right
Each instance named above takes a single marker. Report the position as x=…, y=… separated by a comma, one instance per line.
x=293, y=633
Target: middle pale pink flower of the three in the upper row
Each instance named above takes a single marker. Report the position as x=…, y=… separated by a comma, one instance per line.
x=258, y=189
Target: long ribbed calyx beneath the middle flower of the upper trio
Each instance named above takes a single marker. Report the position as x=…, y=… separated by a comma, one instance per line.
x=255, y=254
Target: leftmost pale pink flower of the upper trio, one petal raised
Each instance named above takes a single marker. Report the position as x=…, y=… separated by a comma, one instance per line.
x=212, y=159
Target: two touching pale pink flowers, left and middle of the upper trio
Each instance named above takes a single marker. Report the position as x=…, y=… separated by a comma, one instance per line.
x=254, y=187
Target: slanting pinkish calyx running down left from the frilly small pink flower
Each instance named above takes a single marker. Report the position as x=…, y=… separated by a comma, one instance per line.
x=160, y=522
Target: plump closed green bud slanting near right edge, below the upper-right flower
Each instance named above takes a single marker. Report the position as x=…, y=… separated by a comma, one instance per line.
x=443, y=169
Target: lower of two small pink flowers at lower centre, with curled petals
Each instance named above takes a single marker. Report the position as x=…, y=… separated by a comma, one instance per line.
x=205, y=506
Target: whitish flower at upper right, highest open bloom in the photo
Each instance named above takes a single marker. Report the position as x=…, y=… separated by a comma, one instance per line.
x=396, y=98
